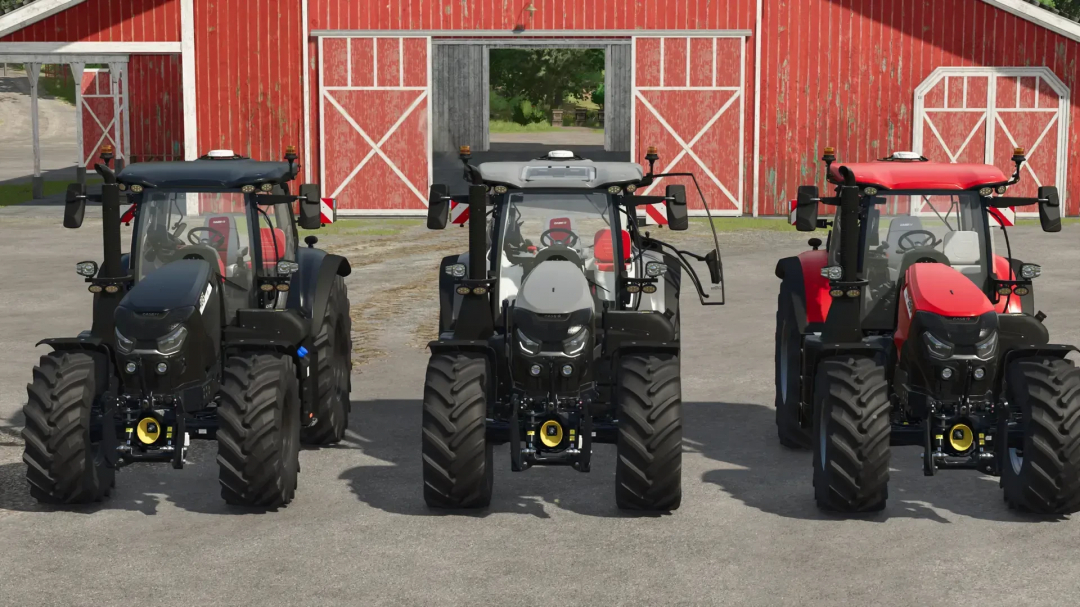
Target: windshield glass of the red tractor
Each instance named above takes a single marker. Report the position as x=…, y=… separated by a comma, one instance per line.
x=901, y=231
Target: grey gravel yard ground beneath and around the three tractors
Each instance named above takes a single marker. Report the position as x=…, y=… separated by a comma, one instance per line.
x=359, y=534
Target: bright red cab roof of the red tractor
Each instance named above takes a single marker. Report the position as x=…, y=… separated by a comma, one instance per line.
x=916, y=176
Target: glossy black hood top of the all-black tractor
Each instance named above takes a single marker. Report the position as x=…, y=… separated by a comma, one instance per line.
x=179, y=285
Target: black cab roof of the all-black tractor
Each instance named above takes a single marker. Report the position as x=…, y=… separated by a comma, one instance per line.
x=226, y=174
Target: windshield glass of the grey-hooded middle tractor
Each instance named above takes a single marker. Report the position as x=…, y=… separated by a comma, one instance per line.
x=553, y=226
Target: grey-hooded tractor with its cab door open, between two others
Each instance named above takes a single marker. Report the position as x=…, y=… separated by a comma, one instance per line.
x=559, y=329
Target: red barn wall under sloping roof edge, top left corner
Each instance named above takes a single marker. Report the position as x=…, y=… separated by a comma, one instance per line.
x=107, y=21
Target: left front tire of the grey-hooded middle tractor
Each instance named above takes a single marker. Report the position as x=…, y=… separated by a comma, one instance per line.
x=458, y=469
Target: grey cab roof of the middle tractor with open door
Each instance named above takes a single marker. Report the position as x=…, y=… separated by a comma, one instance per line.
x=552, y=173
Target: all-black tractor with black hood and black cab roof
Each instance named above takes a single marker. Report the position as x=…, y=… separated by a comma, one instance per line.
x=215, y=326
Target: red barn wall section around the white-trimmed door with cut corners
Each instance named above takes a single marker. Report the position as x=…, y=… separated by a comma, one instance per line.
x=843, y=74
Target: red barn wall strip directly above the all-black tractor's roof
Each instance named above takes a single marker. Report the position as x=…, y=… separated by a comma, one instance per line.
x=249, y=76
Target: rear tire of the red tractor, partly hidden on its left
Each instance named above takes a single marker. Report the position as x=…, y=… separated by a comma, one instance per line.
x=789, y=365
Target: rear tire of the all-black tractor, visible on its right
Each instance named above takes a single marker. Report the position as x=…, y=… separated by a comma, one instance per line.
x=334, y=348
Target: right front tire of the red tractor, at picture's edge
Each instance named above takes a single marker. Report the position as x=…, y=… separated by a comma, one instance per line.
x=1044, y=477
